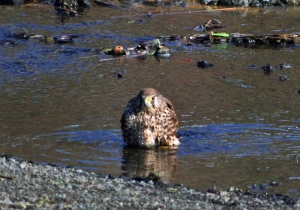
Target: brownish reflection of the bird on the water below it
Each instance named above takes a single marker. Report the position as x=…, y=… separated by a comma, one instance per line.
x=140, y=162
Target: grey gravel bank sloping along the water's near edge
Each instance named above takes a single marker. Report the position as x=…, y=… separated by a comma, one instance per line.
x=24, y=185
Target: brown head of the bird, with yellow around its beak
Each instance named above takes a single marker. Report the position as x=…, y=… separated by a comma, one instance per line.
x=150, y=100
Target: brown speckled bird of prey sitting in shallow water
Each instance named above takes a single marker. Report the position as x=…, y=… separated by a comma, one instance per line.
x=149, y=120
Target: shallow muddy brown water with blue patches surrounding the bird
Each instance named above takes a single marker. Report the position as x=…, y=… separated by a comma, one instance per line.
x=61, y=104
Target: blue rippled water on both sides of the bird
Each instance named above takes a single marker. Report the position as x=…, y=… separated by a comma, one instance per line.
x=231, y=140
